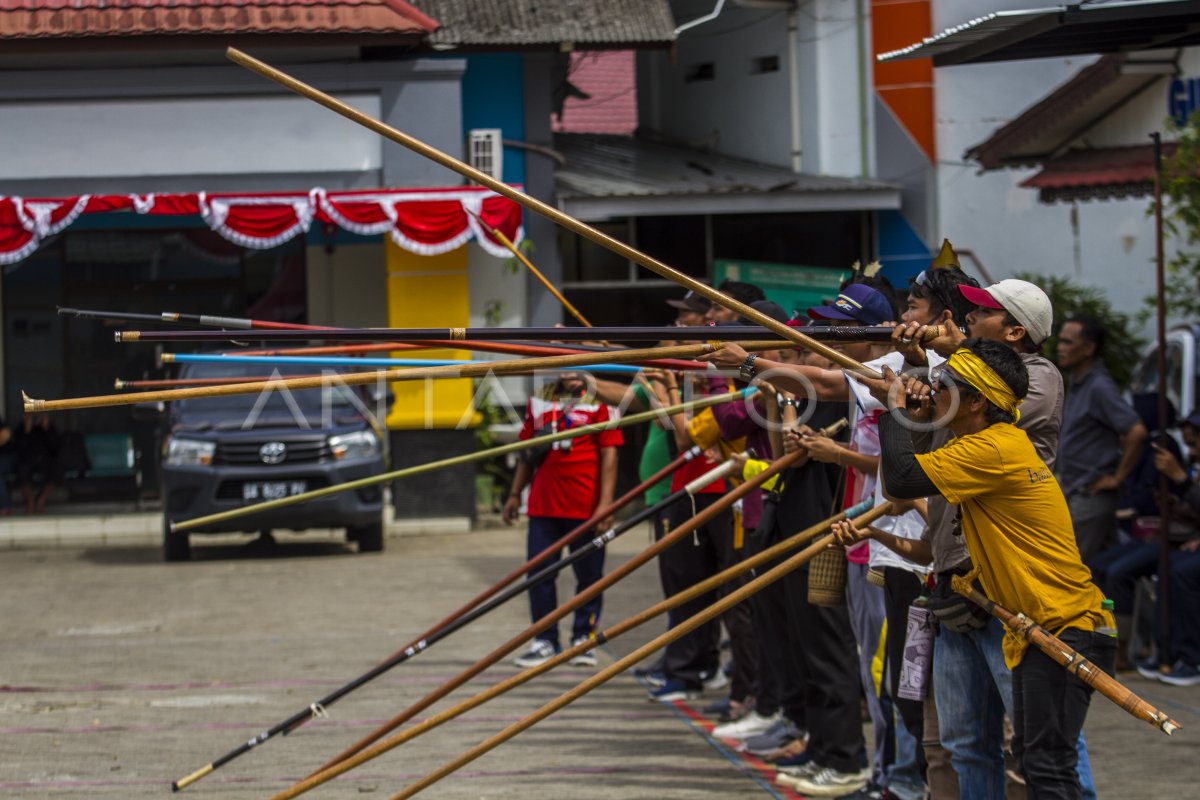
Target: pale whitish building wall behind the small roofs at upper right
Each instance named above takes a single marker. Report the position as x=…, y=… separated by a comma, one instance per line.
x=1111, y=248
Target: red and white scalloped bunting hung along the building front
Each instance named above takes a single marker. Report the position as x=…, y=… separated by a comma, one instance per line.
x=425, y=221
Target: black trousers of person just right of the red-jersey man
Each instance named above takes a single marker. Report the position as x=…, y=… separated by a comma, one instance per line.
x=699, y=556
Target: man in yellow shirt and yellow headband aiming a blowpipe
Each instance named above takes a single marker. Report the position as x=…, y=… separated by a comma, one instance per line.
x=1013, y=516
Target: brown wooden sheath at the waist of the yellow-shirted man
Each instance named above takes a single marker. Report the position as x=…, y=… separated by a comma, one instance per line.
x=1076, y=664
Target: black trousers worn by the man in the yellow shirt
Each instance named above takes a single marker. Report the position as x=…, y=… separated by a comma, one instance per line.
x=1049, y=706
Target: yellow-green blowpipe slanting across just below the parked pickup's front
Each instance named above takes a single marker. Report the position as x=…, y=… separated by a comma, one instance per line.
x=466, y=459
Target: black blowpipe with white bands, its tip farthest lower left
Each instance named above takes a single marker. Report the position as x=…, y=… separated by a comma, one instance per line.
x=467, y=616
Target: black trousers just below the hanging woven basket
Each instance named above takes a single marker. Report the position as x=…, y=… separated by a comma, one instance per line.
x=825, y=643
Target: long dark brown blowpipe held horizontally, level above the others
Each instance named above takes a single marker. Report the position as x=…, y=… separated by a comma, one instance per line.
x=454, y=336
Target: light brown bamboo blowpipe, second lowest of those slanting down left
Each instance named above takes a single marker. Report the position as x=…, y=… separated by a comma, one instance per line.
x=862, y=515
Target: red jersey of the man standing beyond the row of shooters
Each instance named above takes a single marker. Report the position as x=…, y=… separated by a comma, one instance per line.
x=567, y=484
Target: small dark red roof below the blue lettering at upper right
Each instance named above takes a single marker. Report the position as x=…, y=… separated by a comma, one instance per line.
x=1099, y=173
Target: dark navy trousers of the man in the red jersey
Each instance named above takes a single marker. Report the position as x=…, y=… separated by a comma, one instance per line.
x=543, y=533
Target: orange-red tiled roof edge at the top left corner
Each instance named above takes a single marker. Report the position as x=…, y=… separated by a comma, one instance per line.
x=26, y=20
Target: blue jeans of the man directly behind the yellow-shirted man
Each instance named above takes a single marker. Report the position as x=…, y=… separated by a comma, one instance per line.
x=974, y=690
